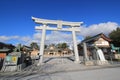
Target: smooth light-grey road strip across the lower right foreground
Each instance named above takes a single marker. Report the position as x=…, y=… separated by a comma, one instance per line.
x=98, y=74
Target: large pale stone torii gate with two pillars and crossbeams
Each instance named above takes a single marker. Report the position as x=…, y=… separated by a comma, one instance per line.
x=59, y=25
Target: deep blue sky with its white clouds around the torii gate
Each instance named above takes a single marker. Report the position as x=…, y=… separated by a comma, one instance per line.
x=16, y=25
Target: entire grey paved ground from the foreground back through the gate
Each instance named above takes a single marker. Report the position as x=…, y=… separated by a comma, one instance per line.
x=64, y=69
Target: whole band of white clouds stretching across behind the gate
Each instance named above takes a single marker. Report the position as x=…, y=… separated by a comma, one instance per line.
x=58, y=36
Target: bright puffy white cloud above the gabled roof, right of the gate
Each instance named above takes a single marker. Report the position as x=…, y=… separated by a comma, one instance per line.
x=94, y=29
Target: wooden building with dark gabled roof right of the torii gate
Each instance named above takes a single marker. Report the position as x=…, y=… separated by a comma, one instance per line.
x=100, y=40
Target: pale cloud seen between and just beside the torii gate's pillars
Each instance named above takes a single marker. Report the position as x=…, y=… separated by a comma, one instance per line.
x=55, y=37
